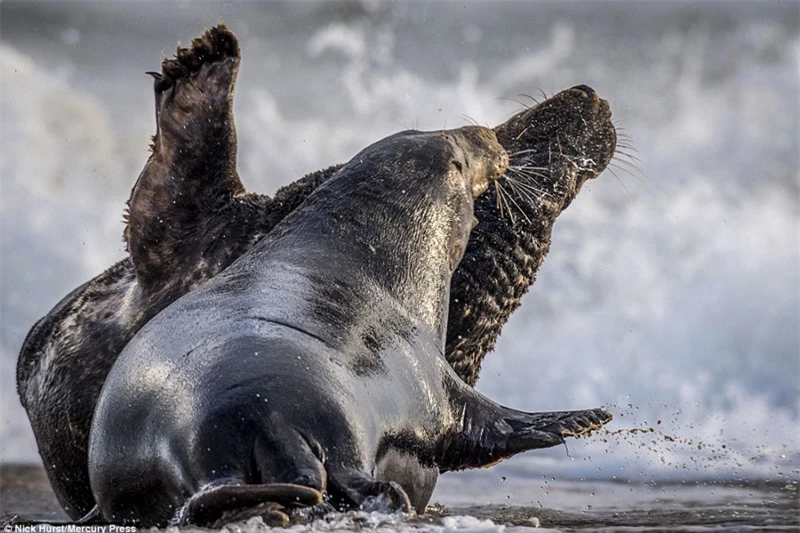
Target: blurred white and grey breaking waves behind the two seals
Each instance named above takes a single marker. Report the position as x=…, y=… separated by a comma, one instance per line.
x=673, y=298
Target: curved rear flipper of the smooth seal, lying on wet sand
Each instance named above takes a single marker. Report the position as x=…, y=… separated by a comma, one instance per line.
x=216, y=506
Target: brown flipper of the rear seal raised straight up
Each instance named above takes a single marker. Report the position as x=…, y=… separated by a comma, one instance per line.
x=191, y=173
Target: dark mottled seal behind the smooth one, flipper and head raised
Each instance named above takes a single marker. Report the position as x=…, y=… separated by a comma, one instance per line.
x=556, y=146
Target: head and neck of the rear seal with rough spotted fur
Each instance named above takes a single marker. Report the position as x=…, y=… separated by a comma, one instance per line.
x=560, y=143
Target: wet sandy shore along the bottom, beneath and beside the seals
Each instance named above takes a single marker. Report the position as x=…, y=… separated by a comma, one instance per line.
x=483, y=501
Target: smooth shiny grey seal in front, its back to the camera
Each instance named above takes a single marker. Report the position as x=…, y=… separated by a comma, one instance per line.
x=316, y=359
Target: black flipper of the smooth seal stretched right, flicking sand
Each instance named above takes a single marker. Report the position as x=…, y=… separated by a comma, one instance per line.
x=486, y=433
